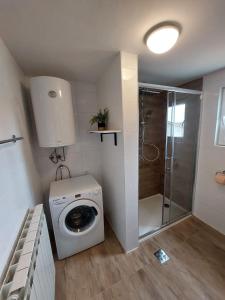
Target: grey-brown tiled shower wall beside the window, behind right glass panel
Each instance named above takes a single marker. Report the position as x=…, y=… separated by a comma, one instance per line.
x=185, y=148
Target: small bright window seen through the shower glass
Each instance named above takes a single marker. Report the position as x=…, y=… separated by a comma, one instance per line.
x=178, y=118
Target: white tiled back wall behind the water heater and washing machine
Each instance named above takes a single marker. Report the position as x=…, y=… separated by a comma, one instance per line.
x=82, y=157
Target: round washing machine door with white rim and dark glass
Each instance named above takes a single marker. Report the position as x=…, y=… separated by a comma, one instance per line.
x=79, y=217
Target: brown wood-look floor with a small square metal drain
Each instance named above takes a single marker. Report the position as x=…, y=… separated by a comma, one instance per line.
x=195, y=271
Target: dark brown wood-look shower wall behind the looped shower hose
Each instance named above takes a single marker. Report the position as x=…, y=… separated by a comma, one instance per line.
x=151, y=174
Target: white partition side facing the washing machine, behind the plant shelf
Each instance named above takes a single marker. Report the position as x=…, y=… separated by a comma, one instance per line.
x=109, y=94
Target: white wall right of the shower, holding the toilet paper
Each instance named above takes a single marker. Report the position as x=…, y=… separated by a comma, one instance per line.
x=209, y=204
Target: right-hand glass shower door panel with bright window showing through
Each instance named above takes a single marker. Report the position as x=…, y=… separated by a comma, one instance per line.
x=183, y=113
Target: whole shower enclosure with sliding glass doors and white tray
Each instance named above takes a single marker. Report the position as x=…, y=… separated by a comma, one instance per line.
x=168, y=136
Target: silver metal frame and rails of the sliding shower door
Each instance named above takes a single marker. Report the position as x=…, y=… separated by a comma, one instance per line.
x=173, y=90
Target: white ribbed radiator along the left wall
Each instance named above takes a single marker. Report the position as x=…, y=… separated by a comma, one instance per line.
x=31, y=272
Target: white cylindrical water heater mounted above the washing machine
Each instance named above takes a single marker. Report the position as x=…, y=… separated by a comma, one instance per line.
x=53, y=111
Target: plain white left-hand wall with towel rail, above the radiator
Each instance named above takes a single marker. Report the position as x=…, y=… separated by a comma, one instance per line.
x=19, y=179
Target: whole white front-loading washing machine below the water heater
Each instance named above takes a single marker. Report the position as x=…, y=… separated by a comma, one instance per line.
x=77, y=214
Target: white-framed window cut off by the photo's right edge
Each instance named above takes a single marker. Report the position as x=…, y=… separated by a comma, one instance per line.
x=220, y=126
